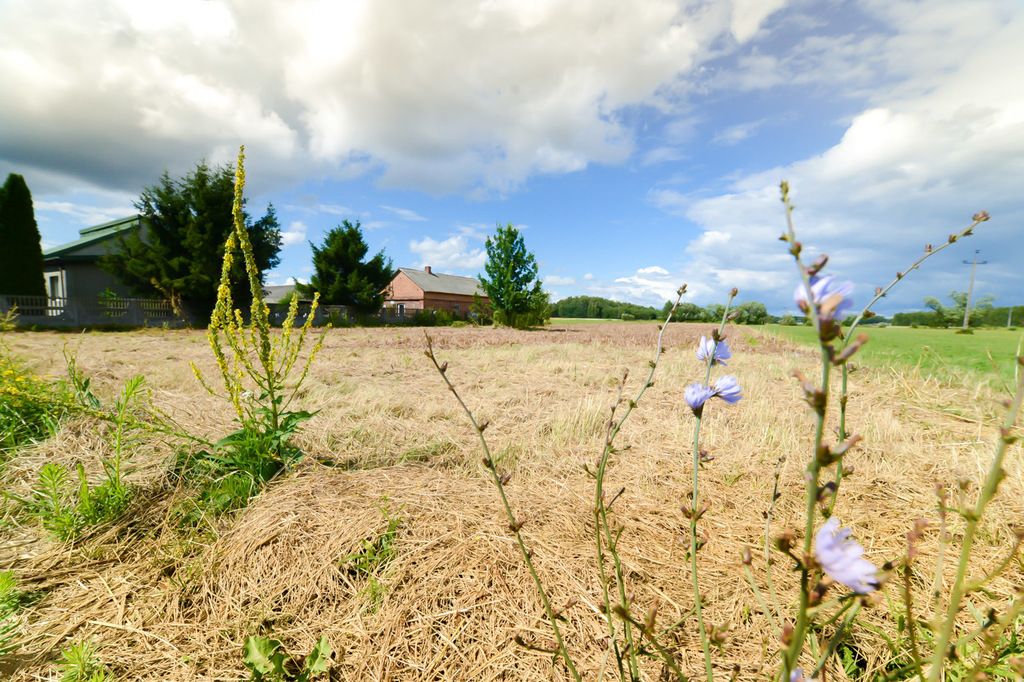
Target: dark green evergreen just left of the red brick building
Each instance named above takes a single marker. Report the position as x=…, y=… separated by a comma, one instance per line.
x=342, y=274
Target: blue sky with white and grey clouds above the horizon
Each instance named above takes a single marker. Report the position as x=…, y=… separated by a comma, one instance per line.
x=638, y=145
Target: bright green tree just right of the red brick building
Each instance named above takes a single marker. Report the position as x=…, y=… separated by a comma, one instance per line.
x=513, y=283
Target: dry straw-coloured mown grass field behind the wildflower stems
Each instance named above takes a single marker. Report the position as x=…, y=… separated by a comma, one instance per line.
x=167, y=606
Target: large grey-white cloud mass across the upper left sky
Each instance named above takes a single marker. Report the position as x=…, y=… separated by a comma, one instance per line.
x=454, y=97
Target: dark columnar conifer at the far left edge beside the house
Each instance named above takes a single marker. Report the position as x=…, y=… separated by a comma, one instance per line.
x=21, y=252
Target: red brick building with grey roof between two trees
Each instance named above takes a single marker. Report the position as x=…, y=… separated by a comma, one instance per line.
x=425, y=290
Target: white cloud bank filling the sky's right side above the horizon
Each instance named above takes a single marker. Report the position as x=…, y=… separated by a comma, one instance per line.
x=912, y=168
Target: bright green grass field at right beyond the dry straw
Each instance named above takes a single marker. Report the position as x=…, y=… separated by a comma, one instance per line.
x=941, y=353
